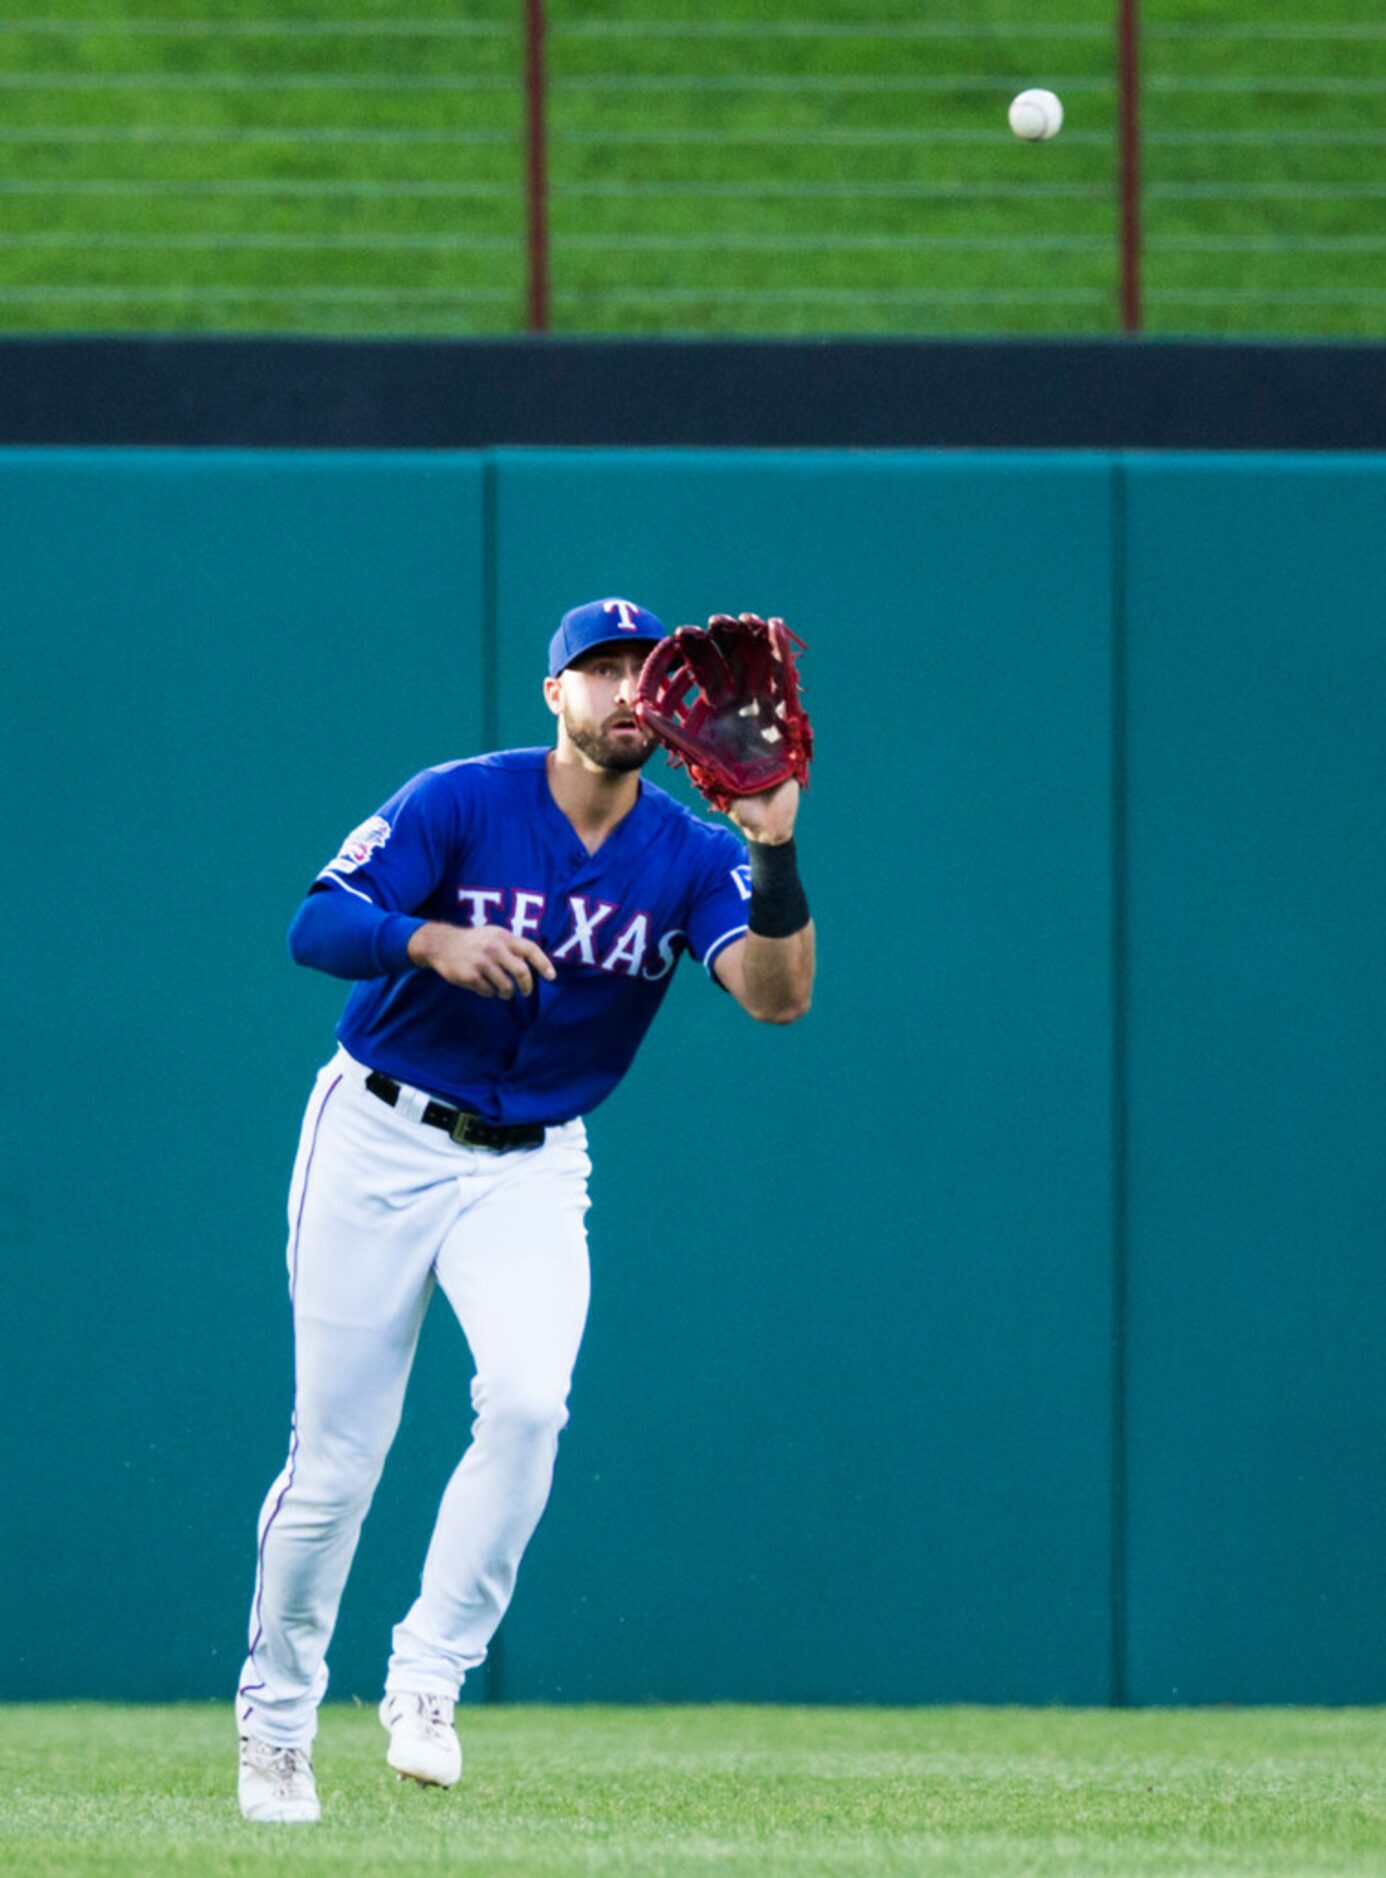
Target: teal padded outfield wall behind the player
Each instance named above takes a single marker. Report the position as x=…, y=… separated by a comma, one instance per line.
x=1011, y=1331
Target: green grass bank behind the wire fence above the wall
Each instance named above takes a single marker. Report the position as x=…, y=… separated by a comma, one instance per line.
x=350, y=166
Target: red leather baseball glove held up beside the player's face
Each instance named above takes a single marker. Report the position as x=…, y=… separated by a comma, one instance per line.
x=726, y=703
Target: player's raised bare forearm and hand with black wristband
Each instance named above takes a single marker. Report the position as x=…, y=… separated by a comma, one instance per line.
x=771, y=970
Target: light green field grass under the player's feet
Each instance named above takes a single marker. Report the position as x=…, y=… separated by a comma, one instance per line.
x=739, y=1791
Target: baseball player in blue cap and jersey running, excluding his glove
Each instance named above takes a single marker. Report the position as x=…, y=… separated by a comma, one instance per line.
x=512, y=925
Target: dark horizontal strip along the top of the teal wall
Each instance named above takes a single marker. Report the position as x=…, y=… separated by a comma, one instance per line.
x=859, y=393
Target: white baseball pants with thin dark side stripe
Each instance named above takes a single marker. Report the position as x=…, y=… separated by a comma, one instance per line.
x=382, y=1208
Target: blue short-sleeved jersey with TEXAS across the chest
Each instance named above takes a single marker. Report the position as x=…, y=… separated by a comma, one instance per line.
x=484, y=844
